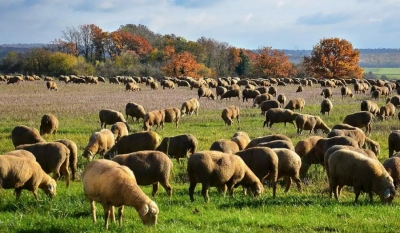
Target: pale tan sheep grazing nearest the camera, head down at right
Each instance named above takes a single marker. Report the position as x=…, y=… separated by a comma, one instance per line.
x=111, y=184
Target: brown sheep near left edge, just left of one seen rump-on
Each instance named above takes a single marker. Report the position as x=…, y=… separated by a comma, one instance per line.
x=22, y=134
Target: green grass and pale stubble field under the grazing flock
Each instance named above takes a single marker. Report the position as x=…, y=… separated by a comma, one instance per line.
x=77, y=107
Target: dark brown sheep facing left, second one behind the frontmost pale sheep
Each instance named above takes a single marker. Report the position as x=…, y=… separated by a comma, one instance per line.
x=135, y=142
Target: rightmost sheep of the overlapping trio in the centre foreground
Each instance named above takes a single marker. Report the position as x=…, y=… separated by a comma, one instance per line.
x=289, y=164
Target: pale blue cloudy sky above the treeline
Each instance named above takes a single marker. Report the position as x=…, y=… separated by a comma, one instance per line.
x=249, y=24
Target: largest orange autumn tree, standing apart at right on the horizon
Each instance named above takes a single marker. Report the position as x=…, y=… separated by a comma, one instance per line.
x=333, y=58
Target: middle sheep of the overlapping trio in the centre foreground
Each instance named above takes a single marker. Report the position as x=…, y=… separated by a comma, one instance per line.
x=263, y=162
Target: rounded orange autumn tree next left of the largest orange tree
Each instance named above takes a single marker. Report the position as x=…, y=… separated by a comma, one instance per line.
x=272, y=63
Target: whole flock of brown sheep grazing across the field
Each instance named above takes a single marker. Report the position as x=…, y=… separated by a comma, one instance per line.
x=144, y=158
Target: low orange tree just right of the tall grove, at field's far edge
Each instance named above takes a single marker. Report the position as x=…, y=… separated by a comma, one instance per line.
x=182, y=64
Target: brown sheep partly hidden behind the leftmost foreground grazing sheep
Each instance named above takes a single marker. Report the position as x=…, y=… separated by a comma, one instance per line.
x=53, y=157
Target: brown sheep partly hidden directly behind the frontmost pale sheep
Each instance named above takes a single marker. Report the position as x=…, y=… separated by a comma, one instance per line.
x=149, y=167
